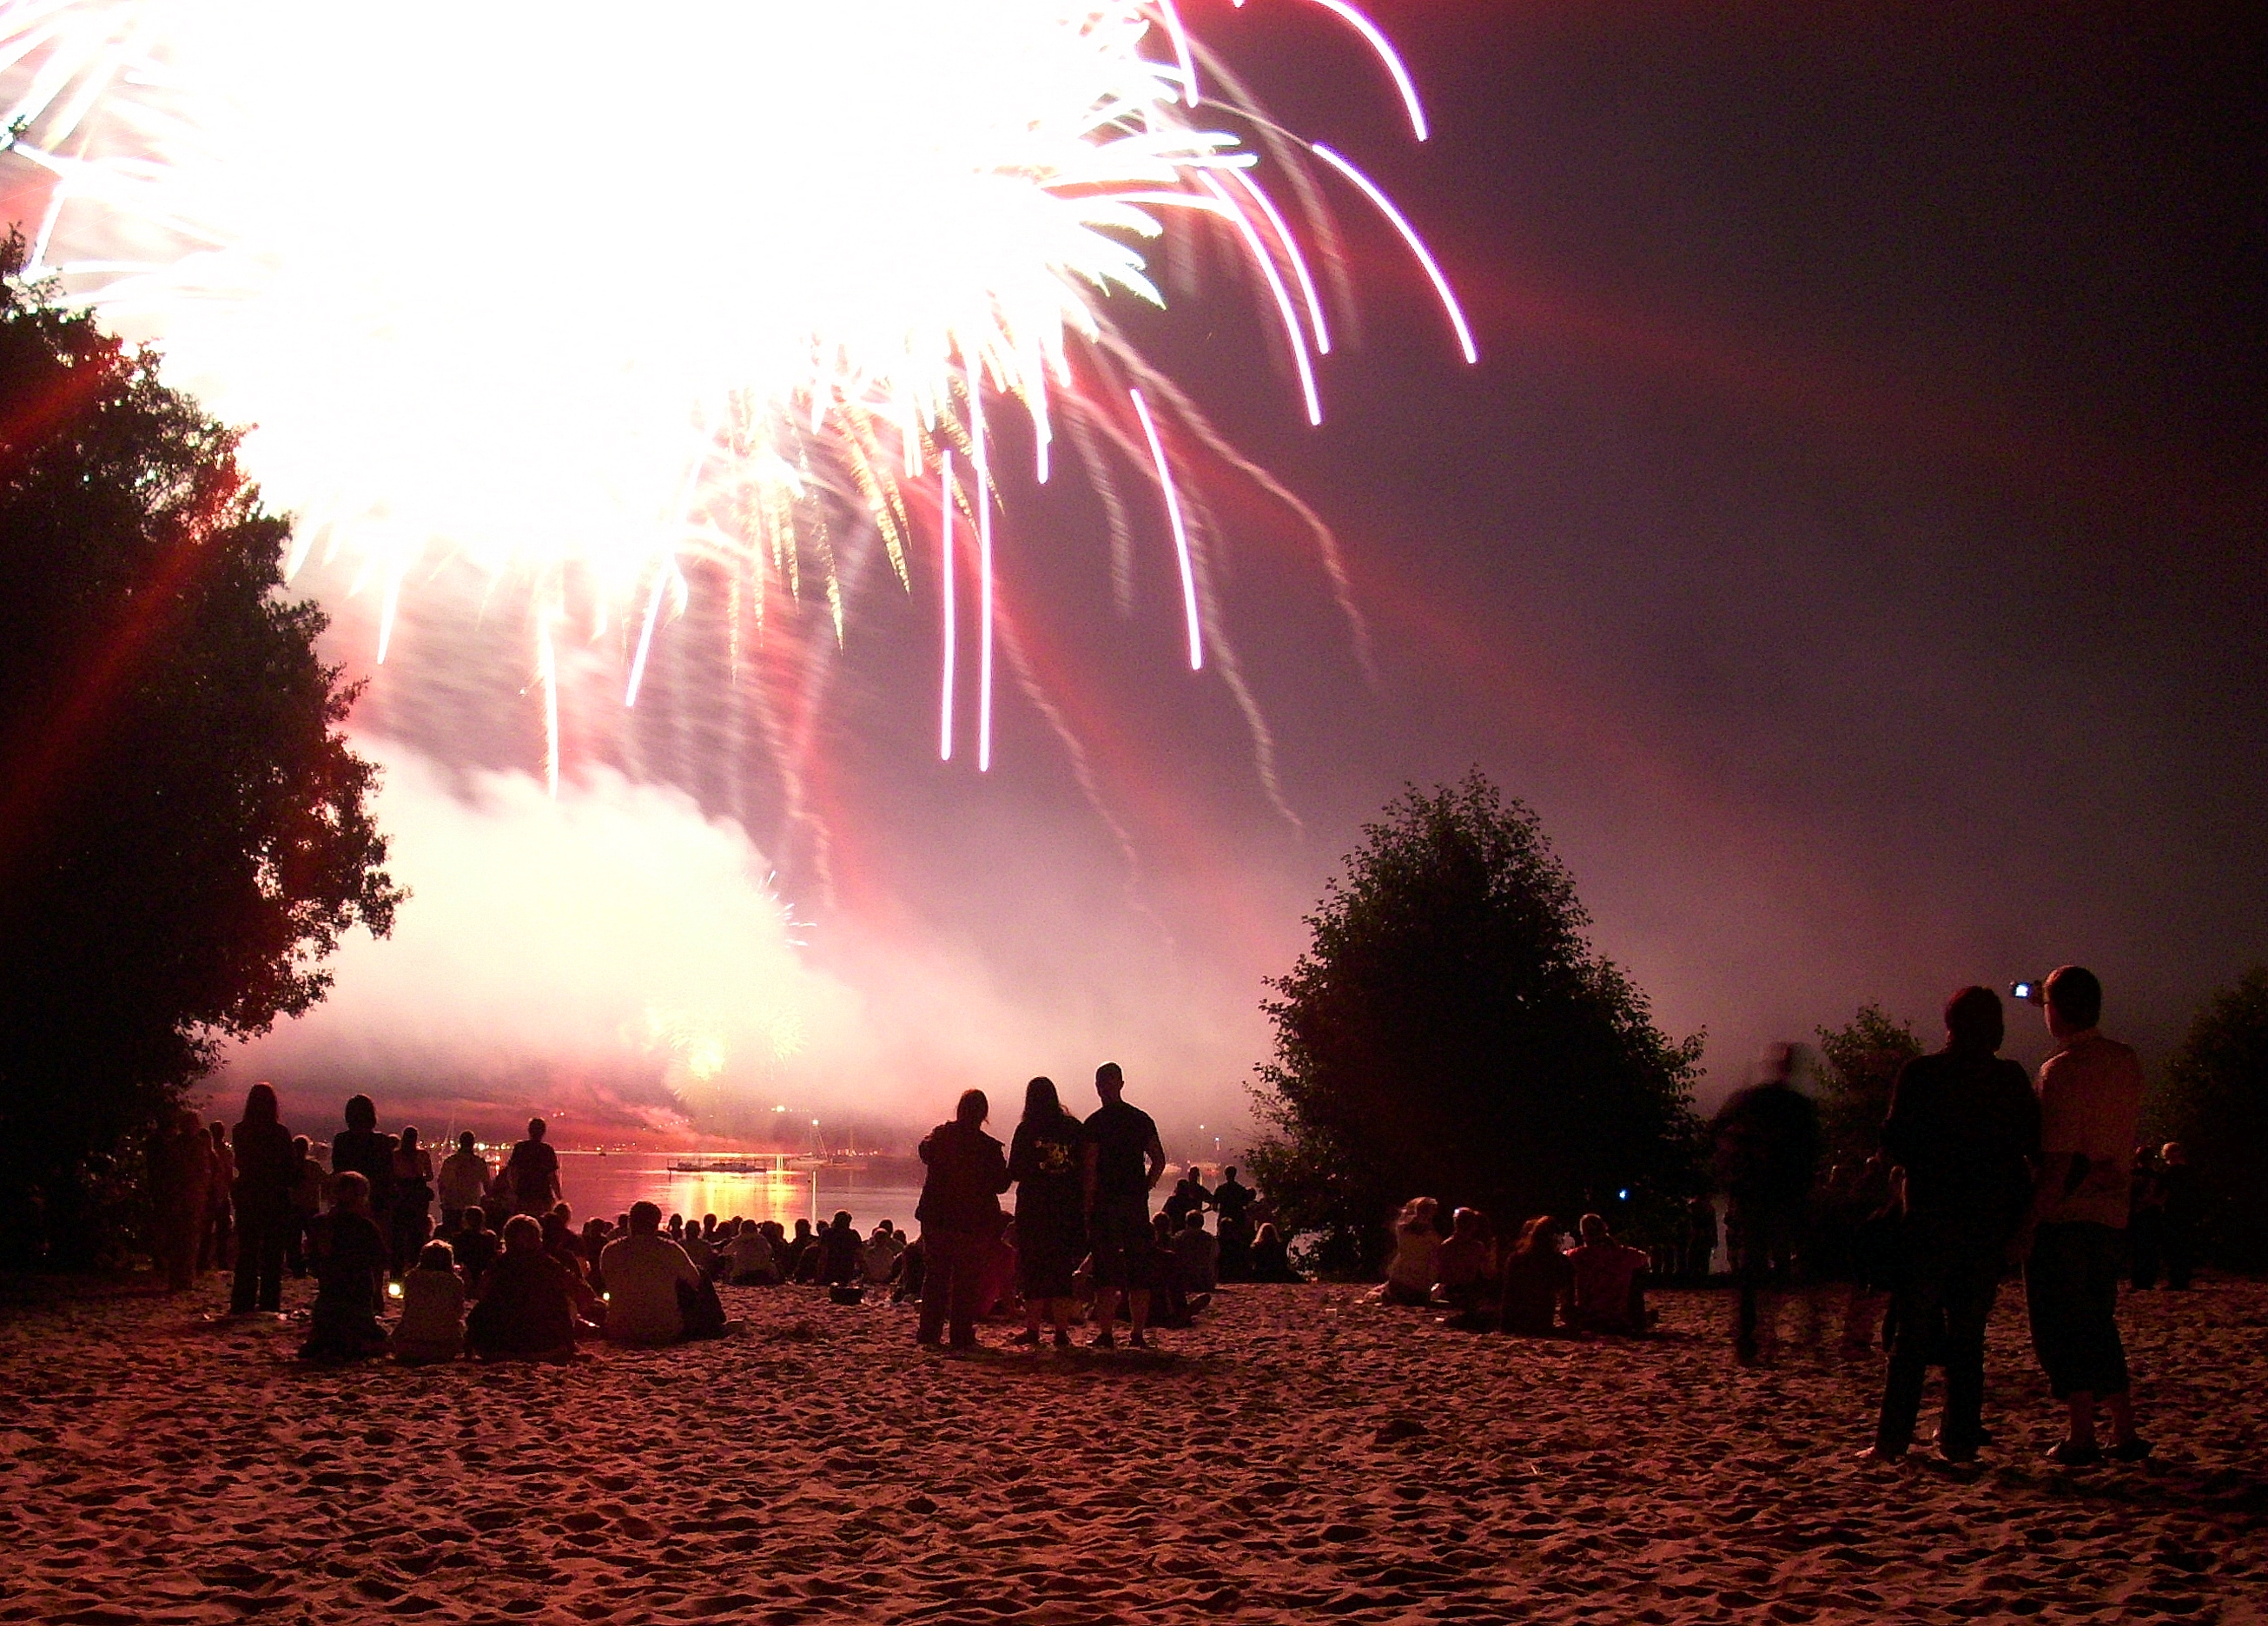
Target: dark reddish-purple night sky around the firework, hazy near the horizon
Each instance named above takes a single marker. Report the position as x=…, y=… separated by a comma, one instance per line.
x=1850, y=545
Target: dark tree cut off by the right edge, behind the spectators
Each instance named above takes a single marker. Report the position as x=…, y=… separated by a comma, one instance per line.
x=2215, y=1103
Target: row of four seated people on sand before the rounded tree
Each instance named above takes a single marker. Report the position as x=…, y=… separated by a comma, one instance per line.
x=1534, y=1285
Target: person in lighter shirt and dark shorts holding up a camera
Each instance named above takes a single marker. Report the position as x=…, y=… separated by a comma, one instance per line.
x=2090, y=1099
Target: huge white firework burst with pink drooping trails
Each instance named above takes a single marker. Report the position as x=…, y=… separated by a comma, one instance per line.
x=620, y=305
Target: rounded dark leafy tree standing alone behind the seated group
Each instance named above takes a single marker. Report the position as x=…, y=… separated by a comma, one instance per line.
x=1453, y=1033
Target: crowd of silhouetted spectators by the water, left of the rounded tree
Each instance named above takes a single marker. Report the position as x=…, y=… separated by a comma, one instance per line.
x=502, y=1271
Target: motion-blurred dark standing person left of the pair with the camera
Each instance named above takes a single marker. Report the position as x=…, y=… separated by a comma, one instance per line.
x=1766, y=1144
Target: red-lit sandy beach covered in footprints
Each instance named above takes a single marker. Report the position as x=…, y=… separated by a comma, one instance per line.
x=1301, y=1455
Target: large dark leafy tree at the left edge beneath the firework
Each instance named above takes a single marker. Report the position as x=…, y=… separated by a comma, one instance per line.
x=185, y=833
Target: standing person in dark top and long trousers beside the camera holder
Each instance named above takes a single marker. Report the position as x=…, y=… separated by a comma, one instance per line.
x=1965, y=1126
